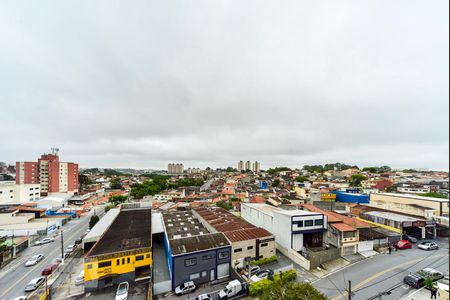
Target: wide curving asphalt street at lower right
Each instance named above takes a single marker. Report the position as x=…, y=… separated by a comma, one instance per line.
x=382, y=273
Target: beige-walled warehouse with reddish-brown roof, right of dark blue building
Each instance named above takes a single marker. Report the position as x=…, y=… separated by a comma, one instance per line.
x=246, y=239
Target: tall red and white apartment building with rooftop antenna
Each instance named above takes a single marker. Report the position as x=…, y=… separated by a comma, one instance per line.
x=53, y=176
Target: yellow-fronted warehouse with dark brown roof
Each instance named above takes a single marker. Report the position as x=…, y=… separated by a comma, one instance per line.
x=123, y=252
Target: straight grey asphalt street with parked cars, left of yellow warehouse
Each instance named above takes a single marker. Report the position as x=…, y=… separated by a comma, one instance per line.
x=15, y=275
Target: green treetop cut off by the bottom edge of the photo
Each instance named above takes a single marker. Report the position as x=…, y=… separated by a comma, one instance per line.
x=292, y=291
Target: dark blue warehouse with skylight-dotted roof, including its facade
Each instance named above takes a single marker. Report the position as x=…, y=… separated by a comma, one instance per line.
x=194, y=253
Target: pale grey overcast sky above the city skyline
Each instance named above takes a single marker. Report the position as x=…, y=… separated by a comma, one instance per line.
x=209, y=83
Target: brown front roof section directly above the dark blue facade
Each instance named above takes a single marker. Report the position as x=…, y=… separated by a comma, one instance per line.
x=198, y=243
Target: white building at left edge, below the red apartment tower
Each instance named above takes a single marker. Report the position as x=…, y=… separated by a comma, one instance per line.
x=11, y=193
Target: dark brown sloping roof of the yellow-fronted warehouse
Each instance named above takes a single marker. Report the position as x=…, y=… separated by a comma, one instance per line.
x=130, y=230
